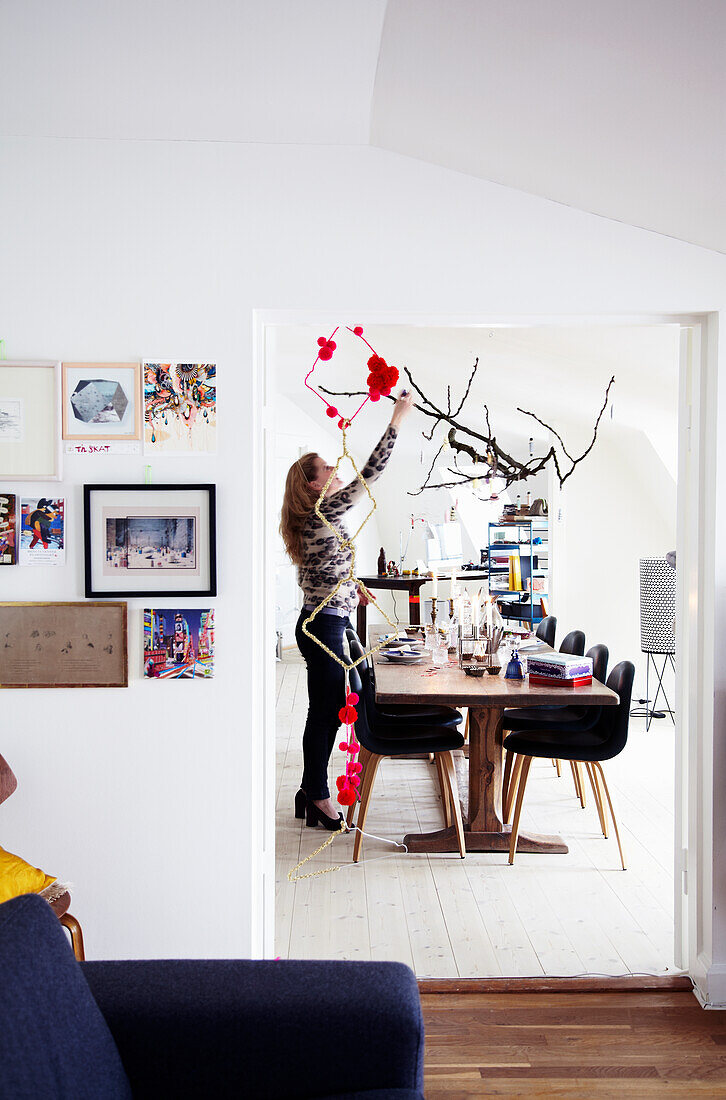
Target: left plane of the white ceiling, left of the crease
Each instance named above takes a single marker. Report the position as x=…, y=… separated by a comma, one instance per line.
x=244, y=71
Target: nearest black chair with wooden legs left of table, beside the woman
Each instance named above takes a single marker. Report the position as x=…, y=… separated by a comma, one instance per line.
x=399, y=739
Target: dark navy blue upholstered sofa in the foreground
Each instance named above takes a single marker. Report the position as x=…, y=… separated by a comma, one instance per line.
x=269, y=1031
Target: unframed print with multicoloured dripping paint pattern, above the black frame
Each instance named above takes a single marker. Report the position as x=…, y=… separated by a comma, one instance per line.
x=180, y=409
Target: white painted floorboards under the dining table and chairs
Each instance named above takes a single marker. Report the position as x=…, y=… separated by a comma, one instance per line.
x=449, y=918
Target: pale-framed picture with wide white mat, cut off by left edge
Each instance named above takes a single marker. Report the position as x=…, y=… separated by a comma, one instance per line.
x=30, y=436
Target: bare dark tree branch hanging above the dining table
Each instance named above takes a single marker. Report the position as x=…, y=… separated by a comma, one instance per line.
x=482, y=446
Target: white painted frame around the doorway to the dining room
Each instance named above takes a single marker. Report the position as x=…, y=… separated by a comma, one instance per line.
x=696, y=613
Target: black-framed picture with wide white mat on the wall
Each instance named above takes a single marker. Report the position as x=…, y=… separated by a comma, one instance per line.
x=145, y=541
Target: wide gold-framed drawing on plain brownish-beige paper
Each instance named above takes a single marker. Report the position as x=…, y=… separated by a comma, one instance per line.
x=64, y=645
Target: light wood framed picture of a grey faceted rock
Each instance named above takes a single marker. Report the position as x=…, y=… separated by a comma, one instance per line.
x=102, y=401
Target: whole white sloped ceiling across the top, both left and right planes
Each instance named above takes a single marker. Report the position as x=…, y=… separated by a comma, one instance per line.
x=615, y=107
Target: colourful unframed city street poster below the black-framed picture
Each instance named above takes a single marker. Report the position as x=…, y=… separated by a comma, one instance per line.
x=179, y=645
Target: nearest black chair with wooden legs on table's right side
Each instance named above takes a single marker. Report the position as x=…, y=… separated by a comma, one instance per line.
x=589, y=746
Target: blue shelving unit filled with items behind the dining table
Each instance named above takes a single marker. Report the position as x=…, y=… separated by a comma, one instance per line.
x=523, y=606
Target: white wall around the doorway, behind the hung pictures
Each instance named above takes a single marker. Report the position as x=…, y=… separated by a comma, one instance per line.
x=118, y=250
